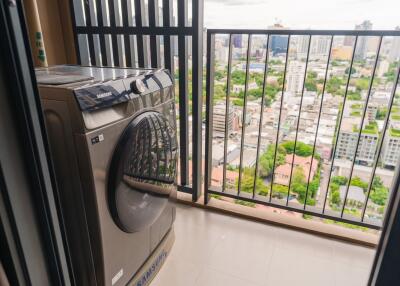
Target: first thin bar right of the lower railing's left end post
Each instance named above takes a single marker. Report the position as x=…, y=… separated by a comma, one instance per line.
x=227, y=102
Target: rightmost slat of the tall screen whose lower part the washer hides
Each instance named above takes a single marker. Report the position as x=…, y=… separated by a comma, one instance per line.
x=168, y=44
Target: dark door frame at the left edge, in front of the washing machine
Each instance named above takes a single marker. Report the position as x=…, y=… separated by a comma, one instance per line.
x=31, y=235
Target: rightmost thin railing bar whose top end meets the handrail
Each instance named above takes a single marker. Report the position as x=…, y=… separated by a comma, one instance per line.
x=362, y=124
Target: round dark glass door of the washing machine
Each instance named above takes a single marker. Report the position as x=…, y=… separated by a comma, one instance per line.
x=142, y=172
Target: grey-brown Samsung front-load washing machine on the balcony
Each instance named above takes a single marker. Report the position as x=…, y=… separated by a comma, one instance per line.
x=112, y=135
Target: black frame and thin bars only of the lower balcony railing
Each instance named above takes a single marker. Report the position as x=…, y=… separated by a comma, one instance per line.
x=208, y=189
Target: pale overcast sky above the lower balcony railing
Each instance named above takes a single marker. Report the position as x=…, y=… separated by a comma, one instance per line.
x=303, y=14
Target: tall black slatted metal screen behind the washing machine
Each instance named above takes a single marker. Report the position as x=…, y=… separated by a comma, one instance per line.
x=97, y=52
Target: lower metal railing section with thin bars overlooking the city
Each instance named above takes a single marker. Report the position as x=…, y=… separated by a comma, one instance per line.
x=307, y=121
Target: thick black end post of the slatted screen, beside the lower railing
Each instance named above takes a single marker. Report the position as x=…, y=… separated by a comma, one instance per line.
x=197, y=95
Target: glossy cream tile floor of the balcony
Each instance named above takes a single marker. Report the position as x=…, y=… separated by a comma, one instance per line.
x=216, y=250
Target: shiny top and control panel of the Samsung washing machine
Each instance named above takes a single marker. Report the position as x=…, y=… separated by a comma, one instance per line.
x=103, y=87
